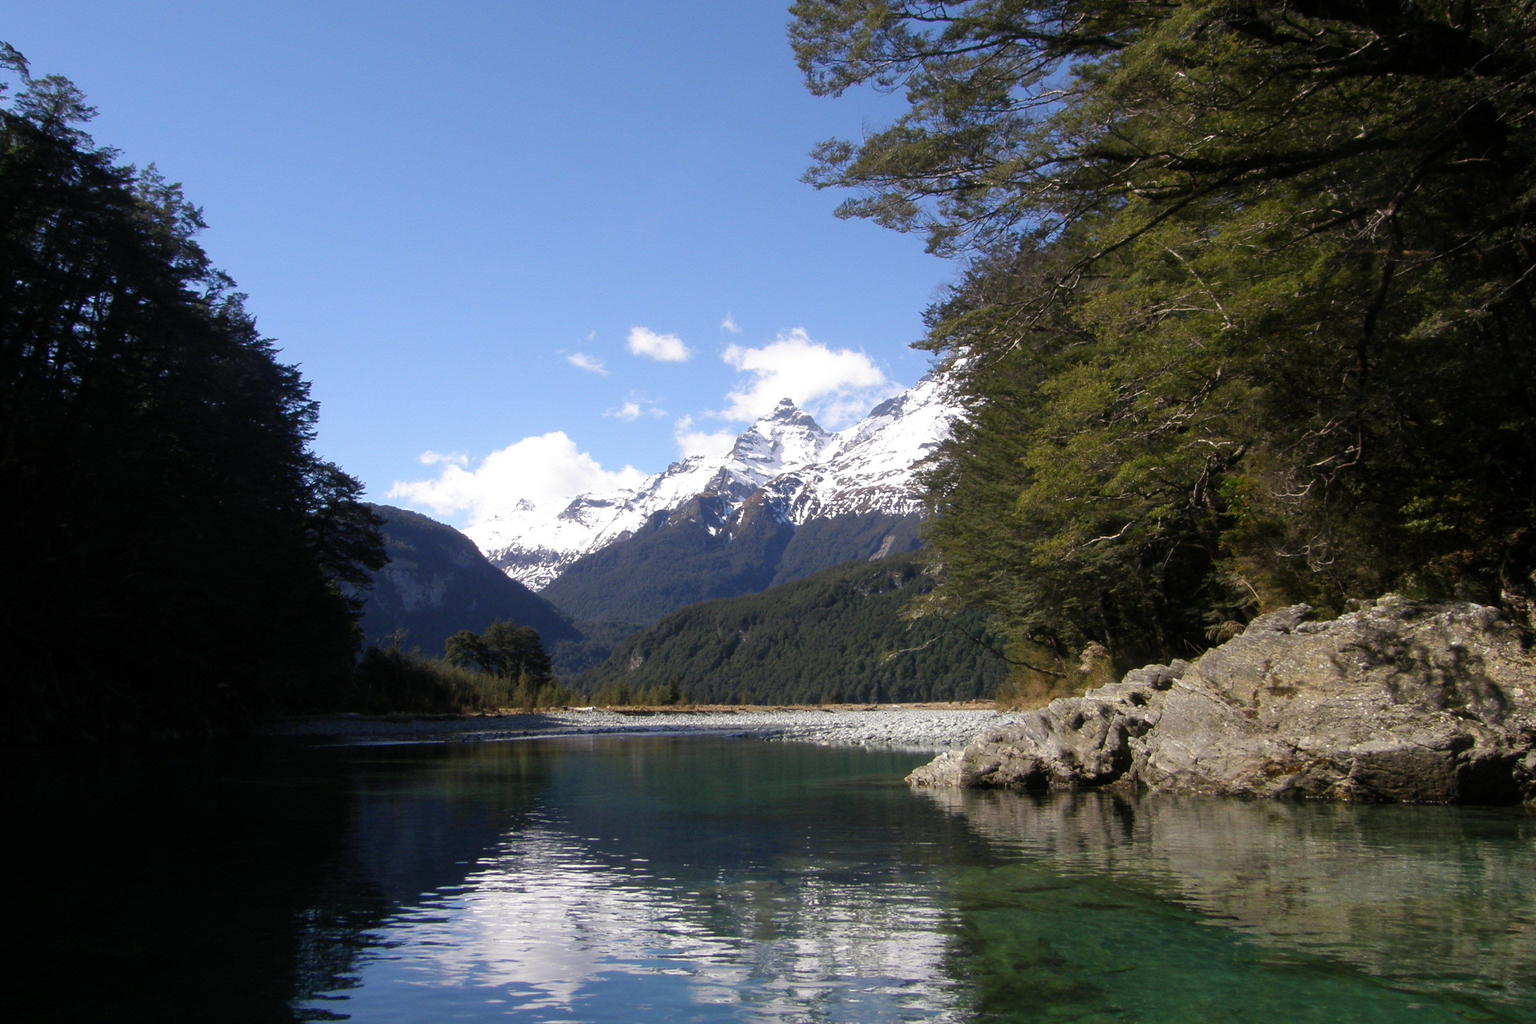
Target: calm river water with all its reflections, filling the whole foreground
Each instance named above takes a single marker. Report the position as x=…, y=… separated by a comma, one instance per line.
x=733, y=880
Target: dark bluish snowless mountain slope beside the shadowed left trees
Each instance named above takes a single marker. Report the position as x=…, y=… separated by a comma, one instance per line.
x=437, y=583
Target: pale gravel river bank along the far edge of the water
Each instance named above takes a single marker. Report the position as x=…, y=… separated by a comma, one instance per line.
x=896, y=727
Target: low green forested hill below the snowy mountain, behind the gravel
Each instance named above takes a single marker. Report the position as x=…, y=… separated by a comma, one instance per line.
x=839, y=636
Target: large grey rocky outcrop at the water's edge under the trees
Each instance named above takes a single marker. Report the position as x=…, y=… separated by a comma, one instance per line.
x=1395, y=702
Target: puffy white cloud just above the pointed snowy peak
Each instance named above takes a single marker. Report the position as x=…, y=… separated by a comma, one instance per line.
x=833, y=385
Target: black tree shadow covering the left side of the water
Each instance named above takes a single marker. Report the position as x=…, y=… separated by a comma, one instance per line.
x=227, y=882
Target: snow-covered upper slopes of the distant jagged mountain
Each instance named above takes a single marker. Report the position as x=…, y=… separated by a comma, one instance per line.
x=784, y=461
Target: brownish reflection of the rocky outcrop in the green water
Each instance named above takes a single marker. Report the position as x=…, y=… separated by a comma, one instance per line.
x=1405, y=894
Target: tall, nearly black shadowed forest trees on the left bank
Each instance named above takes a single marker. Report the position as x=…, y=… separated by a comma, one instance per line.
x=174, y=552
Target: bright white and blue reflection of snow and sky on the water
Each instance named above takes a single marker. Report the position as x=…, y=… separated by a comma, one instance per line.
x=551, y=930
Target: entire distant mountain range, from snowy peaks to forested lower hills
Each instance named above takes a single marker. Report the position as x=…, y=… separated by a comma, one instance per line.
x=789, y=503
